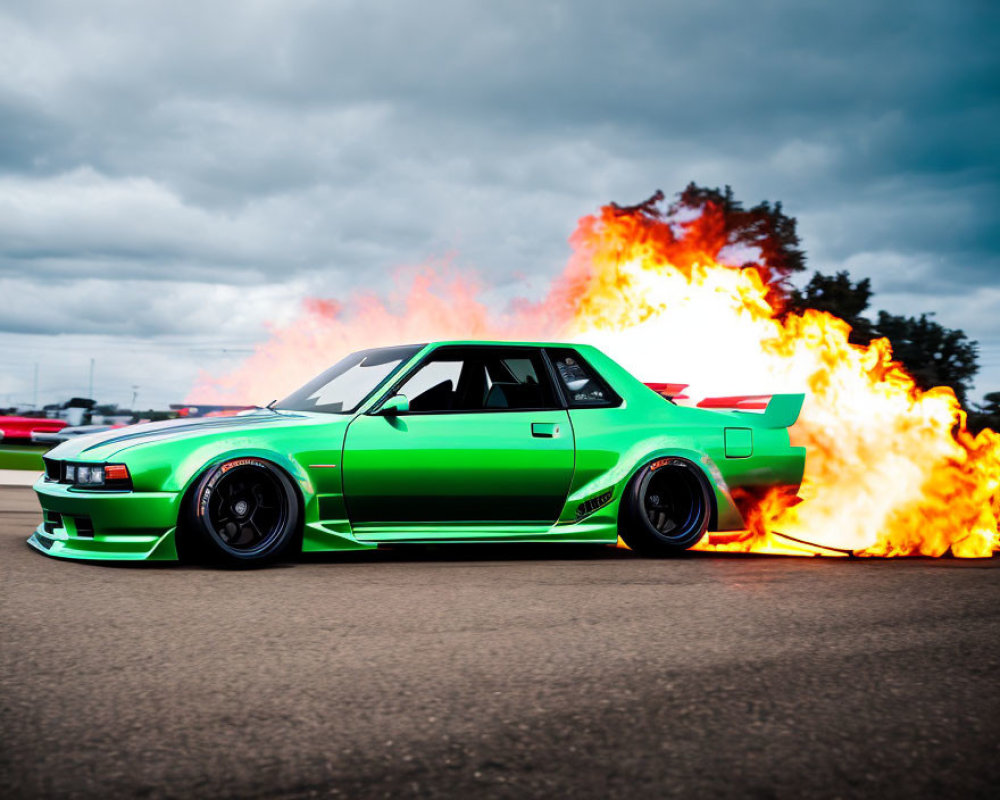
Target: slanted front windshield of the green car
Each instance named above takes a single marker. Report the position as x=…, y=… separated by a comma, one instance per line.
x=346, y=385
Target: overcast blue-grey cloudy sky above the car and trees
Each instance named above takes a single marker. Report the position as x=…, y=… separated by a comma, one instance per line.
x=173, y=174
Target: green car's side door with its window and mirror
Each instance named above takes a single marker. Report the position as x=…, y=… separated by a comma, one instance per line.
x=486, y=446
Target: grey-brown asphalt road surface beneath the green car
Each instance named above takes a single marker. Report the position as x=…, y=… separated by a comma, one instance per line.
x=514, y=673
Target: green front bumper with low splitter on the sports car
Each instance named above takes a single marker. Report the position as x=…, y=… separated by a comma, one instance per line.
x=137, y=526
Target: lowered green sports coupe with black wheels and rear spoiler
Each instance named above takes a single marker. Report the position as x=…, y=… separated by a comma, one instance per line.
x=444, y=442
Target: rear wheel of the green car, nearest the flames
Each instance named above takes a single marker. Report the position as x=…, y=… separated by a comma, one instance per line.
x=666, y=508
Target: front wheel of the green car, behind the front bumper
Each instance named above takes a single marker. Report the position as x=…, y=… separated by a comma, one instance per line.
x=244, y=512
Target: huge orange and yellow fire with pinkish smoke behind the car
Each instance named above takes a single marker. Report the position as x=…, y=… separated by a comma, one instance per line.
x=891, y=470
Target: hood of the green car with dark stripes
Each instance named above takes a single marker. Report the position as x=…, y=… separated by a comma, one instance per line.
x=109, y=444
